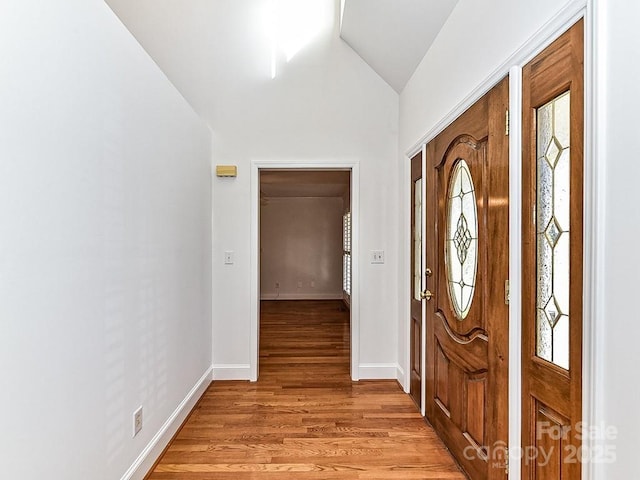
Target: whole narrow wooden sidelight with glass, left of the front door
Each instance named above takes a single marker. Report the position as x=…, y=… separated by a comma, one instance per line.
x=416, y=347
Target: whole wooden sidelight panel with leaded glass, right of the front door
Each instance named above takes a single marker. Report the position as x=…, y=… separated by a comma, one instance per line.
x=552, y=260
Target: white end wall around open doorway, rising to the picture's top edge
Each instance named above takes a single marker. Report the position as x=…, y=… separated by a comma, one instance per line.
x=323, y=105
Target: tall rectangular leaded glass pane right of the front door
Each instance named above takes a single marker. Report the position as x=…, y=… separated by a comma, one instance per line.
x=552, y=231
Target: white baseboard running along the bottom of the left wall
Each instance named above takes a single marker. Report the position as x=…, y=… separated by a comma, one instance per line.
x=160, y=440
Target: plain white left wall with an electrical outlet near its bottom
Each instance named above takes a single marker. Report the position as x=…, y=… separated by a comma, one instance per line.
x=104, y=243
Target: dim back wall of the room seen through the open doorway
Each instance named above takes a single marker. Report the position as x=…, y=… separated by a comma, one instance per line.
x=301, y=248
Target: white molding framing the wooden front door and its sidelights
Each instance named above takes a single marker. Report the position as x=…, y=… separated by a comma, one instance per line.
x=594, y=204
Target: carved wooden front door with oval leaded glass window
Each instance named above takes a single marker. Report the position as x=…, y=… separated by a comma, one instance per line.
x=467, y=315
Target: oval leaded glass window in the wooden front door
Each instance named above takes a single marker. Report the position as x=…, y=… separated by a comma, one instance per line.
x=461, y=243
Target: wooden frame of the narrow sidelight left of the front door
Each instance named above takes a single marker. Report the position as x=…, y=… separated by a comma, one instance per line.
x=416, y=353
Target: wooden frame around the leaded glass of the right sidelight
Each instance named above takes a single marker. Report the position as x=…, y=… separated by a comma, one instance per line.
x=552, y=396
